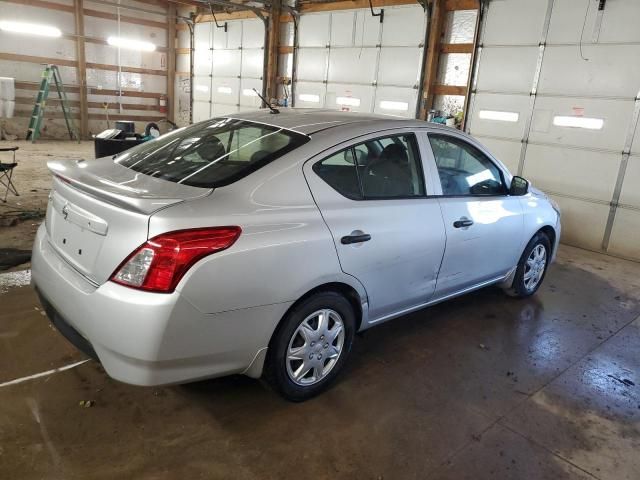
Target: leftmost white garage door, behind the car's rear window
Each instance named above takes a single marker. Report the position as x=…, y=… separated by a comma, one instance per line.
x=227, y=67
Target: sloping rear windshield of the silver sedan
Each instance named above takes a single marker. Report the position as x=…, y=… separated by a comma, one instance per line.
x=212, y=153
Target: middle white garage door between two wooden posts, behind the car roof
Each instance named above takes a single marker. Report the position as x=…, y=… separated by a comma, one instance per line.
x=349, y=60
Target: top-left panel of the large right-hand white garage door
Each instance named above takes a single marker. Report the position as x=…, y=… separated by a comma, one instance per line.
x=514, y=22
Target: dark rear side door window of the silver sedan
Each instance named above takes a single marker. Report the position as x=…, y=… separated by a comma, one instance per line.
x=383, y=168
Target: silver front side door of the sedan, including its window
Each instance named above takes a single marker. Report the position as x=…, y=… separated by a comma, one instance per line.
x=484, y=232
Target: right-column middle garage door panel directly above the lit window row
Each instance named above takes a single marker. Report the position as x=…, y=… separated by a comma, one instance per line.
x=399, y=66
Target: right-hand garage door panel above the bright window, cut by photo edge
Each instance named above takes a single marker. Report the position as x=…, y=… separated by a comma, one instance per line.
x=565, y=72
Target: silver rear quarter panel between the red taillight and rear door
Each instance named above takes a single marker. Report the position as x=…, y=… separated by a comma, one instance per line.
x=284, y=251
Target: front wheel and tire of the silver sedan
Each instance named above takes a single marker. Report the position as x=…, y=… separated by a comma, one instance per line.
x=532, y=267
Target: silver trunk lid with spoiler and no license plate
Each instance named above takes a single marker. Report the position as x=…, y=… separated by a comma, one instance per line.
x=99, y=211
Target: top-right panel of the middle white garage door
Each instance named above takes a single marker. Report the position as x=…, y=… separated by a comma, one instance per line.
x=404, y=25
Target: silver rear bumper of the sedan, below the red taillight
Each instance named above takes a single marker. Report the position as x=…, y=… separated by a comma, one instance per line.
x=146, y=338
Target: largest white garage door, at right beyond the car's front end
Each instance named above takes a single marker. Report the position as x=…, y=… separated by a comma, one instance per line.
x=556, y=100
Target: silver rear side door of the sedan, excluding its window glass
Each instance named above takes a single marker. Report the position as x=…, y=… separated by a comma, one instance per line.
x=398, y=265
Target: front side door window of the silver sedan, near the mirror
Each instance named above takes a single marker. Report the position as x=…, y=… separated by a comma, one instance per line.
x=463, y=169
